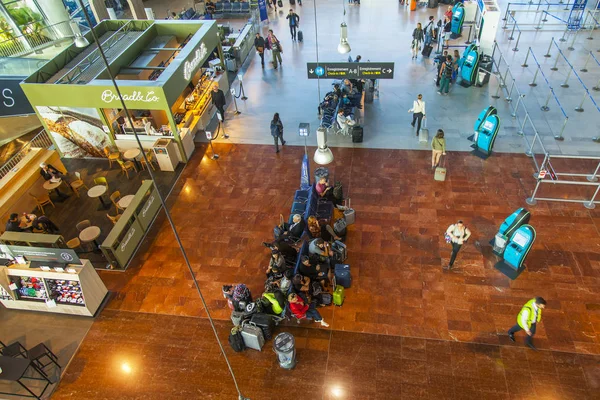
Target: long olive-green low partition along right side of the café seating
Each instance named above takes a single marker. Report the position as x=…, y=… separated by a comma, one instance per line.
x=123, y=240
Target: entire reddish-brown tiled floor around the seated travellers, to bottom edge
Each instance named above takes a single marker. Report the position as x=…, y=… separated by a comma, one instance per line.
x=419, y=330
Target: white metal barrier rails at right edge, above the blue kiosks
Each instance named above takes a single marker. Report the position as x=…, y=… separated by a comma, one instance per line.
x=548, y=175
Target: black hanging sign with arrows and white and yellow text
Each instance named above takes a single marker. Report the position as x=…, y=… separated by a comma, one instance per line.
x=350, y=70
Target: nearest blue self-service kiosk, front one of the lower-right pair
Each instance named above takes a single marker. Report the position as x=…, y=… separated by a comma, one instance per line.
x=516, y=251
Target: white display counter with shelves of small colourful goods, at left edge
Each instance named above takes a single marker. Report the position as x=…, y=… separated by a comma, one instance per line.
x=78, y=290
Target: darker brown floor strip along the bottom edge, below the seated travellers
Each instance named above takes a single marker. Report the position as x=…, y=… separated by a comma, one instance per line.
x=148, y=356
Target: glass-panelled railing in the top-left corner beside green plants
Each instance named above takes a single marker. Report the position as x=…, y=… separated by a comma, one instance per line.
x=35, y=41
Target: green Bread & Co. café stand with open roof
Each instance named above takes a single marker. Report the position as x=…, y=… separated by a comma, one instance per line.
x=165, y=71
